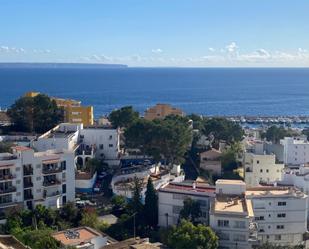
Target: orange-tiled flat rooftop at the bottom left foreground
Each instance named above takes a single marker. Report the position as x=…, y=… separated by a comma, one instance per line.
x=76, y=236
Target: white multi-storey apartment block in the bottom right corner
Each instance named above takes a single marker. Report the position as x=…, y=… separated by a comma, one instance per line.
x=281, y=214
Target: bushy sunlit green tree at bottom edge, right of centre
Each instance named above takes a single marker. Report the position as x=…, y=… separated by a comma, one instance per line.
x=186, y=235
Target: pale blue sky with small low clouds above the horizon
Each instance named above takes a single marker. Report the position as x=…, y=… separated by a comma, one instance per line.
x=184, y=33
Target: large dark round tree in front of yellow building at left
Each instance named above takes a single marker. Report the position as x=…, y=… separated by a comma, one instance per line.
x=37, y=114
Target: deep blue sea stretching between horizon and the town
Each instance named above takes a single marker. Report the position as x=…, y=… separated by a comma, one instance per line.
x=207, y=91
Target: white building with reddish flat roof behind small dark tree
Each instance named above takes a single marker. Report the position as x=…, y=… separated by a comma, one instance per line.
x=172, y=195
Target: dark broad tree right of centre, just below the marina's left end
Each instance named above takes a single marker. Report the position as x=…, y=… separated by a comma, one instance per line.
x=223, y=129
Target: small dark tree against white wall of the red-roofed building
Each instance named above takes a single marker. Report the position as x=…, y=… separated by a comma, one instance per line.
x=191, y=210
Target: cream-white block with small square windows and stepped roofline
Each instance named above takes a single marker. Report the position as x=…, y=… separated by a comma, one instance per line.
x=261, y=169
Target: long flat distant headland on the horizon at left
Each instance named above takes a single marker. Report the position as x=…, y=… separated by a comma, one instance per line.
x=60, y=65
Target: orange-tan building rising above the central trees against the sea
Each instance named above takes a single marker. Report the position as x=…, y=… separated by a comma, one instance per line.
x=160, y=111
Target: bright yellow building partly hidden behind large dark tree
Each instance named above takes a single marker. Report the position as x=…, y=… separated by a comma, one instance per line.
x=74, y=112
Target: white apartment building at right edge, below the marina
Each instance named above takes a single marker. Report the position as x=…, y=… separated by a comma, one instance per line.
x=295, y=150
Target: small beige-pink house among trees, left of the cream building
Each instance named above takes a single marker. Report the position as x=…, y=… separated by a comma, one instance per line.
x=210, y=160
